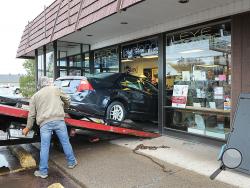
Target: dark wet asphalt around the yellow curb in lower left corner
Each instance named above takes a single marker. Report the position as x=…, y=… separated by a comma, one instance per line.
x=12, y=175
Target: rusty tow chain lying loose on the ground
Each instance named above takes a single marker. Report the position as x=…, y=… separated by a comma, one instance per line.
x=141, y=146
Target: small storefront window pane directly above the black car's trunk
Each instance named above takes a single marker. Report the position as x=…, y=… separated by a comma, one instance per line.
x=106, y=60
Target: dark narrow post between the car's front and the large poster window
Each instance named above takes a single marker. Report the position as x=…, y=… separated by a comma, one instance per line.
x=161, y=82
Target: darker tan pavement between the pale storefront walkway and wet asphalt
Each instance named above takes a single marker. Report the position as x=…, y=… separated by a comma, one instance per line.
x=106, y=165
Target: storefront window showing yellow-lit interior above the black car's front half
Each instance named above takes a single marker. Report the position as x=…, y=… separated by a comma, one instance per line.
x=141, y=59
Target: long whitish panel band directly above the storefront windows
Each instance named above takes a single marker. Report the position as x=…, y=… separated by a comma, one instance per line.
x=238, y=6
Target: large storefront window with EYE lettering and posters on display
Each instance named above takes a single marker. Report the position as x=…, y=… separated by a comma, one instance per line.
x=198, y=80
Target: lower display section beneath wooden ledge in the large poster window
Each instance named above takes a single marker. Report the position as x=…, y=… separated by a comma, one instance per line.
x=199, y=118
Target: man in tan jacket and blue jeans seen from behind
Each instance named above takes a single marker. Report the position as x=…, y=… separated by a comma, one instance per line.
x=47, y=109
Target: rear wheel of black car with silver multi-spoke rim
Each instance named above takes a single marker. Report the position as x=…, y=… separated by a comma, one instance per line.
x=116, y=111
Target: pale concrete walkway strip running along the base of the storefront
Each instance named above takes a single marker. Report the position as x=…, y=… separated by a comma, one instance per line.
x=197, y=157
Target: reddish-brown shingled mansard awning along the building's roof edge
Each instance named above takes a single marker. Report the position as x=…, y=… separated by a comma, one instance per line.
x=63, y=17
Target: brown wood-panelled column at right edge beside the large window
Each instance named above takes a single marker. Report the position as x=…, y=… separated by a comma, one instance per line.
x=240, y=57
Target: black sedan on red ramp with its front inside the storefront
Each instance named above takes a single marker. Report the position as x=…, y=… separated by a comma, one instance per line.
x=116, y=96
